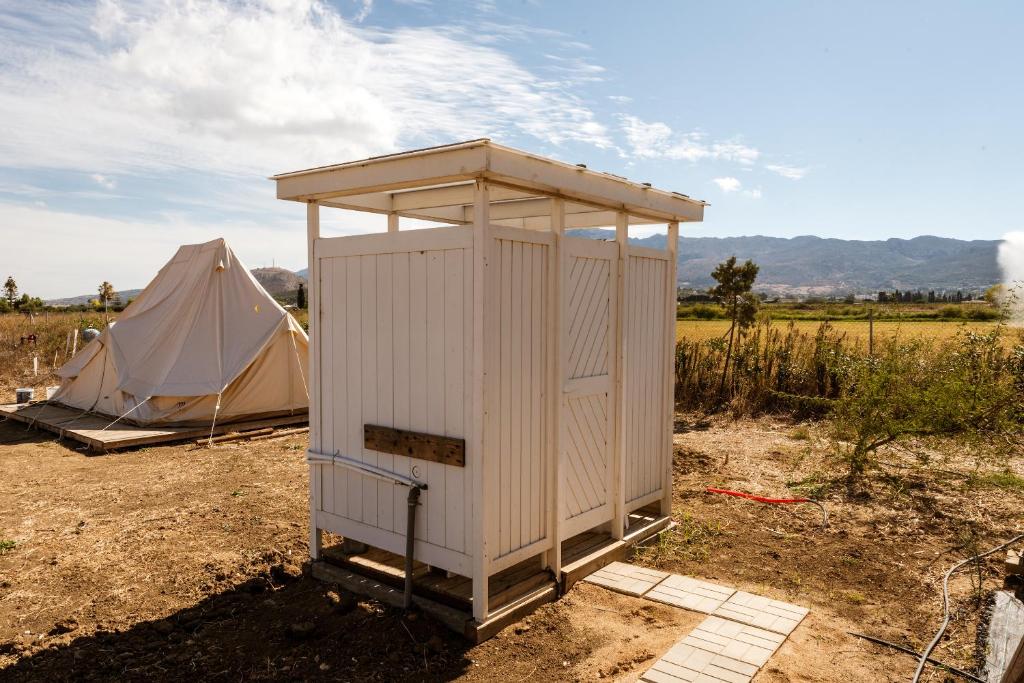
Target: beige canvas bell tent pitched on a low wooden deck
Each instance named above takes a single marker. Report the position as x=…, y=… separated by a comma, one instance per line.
x=204, y=344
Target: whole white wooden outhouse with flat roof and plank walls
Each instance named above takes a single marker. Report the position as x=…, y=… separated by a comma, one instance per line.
x=528, y=371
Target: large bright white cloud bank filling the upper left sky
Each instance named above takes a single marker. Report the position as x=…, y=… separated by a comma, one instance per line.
x=262, y=87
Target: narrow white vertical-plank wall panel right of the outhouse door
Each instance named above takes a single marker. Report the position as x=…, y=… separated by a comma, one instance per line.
x=646, y=375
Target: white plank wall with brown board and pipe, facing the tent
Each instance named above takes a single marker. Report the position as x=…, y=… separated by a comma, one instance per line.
x=398, y=352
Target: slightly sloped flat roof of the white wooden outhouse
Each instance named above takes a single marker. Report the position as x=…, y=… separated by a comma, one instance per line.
x=437, y=184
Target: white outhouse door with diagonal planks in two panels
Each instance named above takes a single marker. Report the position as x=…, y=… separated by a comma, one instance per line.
x=588, y=386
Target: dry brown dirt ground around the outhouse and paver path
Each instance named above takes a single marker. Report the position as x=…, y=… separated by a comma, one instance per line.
x=180, y=563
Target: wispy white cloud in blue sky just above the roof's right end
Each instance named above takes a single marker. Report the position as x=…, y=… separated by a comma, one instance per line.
x=658, y=141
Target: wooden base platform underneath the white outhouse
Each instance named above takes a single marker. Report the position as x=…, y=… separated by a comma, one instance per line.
x=515, y=592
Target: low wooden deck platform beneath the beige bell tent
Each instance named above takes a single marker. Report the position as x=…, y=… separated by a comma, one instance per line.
x=89, y=429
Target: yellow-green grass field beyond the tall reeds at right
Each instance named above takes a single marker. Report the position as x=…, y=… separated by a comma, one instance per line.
x=856, y=331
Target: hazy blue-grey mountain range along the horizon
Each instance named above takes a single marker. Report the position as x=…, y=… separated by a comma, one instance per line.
x=801, y=267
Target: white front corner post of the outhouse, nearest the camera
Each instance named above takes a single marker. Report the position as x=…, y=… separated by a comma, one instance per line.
x=478, y=461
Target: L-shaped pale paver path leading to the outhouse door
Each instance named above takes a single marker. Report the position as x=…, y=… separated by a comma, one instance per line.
x=742, y=632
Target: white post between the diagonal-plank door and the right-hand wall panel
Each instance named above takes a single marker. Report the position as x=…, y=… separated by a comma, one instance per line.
x=619, y=458
